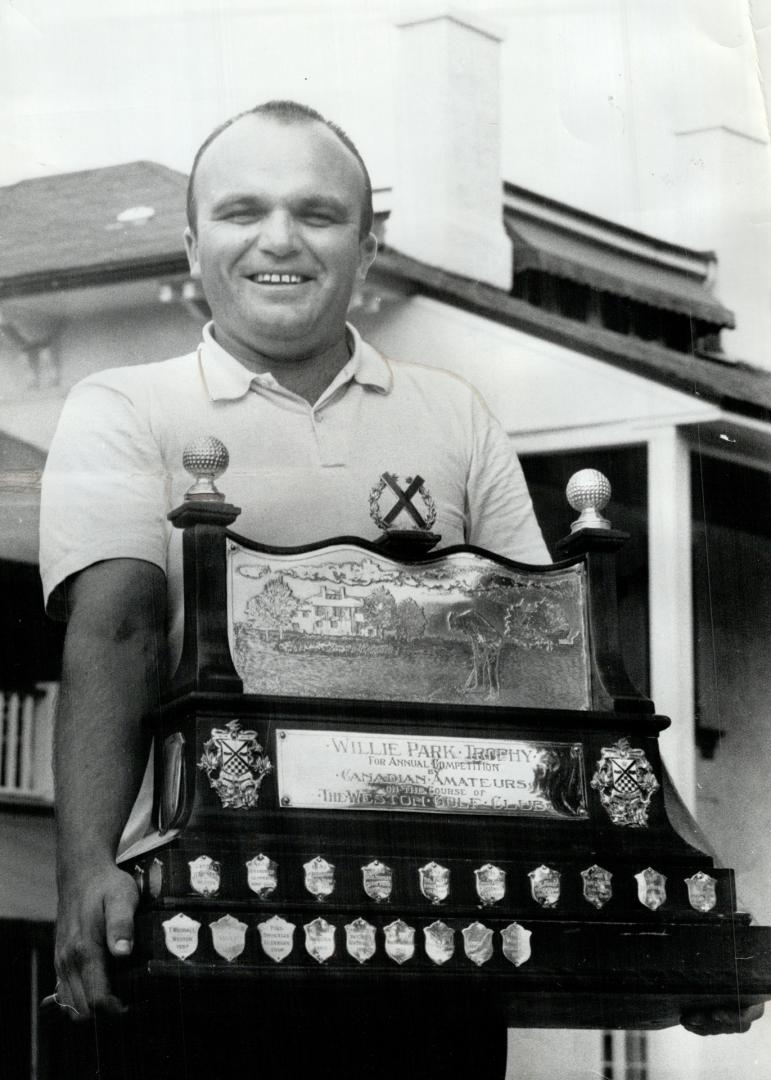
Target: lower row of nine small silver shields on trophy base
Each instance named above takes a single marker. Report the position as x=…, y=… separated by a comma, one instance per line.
x=278, y=935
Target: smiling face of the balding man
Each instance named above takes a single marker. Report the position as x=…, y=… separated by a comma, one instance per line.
x=278, y=247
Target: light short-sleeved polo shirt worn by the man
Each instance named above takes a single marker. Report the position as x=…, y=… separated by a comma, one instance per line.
x=302, y=474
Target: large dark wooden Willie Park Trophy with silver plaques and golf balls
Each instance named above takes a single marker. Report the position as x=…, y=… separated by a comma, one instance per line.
x=382, y=766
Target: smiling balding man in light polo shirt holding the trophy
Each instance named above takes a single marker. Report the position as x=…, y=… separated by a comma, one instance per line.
x=280, y=237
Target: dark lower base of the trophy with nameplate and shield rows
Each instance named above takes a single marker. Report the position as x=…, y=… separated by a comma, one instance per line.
x=558, y=915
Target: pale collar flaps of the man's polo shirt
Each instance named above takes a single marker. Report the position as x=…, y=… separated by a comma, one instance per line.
x=228, y=380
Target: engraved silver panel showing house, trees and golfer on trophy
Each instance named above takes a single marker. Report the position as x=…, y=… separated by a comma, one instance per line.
x=347, y=618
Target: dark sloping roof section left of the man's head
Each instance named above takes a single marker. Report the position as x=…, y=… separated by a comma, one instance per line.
x=63, y=232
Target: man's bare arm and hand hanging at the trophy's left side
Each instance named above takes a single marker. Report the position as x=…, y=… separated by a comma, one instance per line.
x=114, y=673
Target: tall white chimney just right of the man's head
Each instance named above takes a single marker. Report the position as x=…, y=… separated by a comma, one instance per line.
x=449, y=201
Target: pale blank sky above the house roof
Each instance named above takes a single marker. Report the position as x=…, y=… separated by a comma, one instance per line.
x=650, y=113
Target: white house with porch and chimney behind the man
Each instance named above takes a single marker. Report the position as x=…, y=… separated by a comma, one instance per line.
x=596, y=345
